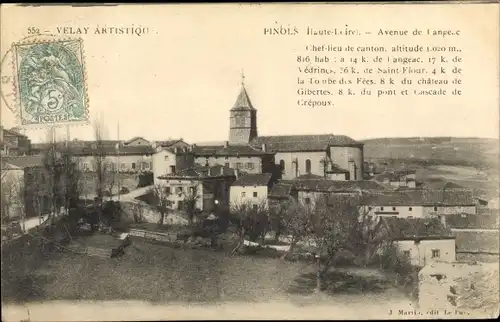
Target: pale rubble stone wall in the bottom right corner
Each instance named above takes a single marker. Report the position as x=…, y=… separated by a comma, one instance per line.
x=460, y=287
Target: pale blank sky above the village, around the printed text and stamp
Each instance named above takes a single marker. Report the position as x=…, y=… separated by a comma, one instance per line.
x=180, y=79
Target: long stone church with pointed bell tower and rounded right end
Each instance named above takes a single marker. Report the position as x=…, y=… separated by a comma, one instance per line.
x=335, y=157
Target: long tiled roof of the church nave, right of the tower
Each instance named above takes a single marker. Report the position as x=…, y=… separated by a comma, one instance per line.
x=297, y=143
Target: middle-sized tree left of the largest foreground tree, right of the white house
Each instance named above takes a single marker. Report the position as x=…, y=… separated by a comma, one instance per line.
x=295, y=219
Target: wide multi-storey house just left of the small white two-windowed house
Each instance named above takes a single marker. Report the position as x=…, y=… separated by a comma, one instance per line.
x=208, y=187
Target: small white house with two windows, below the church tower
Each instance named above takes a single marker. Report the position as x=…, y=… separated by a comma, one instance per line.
x=252, y=189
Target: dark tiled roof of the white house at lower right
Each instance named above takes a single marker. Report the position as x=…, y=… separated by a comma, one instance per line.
x=415, y=228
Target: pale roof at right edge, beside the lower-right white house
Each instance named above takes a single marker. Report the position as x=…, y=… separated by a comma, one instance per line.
x=477, y=241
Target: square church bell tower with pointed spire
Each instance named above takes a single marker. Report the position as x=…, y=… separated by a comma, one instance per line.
x=242, y=119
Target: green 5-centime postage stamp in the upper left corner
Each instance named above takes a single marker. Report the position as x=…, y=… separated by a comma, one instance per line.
x=51, y=82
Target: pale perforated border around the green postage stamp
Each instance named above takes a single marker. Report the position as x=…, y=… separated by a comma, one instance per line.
x=39, y=39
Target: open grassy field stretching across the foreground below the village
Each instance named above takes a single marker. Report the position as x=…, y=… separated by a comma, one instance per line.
x=156, y=273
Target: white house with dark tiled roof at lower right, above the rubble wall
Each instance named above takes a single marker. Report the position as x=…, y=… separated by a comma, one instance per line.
x=422, y=241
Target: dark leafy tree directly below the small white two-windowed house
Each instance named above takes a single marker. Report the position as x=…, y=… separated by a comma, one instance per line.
x=251, y=220
